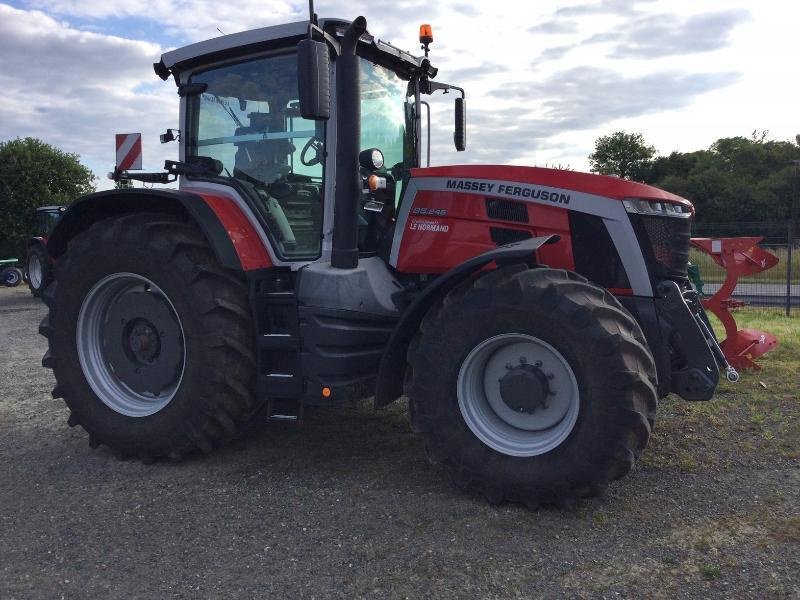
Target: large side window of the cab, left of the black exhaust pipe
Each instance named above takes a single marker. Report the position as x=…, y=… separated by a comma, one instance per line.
x=248, y=118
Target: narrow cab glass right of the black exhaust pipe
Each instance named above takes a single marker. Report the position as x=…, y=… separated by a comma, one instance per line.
x=386, y=117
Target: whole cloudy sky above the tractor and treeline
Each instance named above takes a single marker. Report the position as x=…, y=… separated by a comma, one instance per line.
x=544, y=78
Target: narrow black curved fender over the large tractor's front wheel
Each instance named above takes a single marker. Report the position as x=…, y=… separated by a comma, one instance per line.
x=391, y=372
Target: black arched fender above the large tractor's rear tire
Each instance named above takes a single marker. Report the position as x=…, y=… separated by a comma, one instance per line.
x=91, y=208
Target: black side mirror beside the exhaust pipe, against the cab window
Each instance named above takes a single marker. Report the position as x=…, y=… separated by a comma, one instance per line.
x=314, y=80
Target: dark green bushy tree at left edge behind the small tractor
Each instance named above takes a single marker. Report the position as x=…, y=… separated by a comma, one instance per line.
x=32, y=174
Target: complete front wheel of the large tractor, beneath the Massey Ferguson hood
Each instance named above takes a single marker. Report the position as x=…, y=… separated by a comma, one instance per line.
x=547, y=316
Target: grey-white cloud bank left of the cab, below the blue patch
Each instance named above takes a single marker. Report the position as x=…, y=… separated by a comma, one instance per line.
x=75, y=89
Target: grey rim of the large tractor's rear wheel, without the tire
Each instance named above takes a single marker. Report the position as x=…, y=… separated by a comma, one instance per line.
x=130, y=344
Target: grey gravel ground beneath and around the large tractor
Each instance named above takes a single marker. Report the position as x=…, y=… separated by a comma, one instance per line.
x=347, y=506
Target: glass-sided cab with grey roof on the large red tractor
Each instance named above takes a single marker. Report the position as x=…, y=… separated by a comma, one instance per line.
x=243, y=122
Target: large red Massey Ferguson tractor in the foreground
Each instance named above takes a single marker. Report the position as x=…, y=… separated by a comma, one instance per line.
x=532, y=317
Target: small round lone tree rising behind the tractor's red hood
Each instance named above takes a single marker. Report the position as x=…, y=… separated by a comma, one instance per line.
x=622, y=154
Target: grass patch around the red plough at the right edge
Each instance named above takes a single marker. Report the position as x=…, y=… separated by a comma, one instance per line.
x=751, y=421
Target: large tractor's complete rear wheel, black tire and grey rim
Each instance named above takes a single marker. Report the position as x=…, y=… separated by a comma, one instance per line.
x=190, y=325
